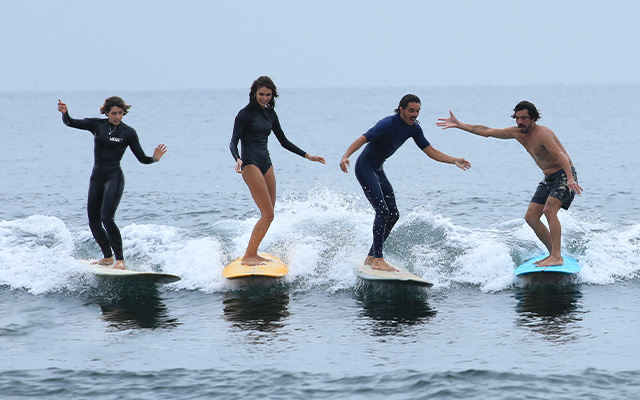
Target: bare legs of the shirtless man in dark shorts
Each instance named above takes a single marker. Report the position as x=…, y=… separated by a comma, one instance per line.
x=552, y=237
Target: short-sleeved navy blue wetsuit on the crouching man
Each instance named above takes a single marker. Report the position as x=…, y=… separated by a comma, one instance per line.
x=383, y=140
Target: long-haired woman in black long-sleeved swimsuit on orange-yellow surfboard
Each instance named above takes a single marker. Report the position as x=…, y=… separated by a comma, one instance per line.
x=252, y=127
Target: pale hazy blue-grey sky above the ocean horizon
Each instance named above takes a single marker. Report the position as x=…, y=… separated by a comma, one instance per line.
x=197, y=44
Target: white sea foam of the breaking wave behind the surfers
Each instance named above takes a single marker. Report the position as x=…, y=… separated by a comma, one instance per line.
x=321, y=238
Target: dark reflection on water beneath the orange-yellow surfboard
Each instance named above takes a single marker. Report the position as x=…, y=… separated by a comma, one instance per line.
x=258, y=309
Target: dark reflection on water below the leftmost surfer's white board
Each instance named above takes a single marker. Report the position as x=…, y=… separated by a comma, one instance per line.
x=132, y=305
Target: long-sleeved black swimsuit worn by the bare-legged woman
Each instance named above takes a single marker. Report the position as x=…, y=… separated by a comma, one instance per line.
x=252, y=126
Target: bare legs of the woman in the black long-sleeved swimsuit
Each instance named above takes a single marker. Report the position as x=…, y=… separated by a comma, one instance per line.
x=263, y=191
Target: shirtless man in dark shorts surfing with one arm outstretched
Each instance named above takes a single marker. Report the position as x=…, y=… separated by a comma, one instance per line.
x=560, y=182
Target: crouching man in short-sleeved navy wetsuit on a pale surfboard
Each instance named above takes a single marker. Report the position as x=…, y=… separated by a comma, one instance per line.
x=382, y=141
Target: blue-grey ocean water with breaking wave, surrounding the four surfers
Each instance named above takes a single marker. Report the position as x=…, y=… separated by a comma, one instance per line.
x=320, y=332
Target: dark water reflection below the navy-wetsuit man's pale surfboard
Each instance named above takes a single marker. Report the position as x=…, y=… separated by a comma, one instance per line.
x=391, y=309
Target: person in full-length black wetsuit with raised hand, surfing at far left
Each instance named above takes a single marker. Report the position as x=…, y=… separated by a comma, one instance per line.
x=111, y=138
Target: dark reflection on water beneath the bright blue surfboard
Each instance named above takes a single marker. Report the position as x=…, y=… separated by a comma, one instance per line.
x=552, y=311
